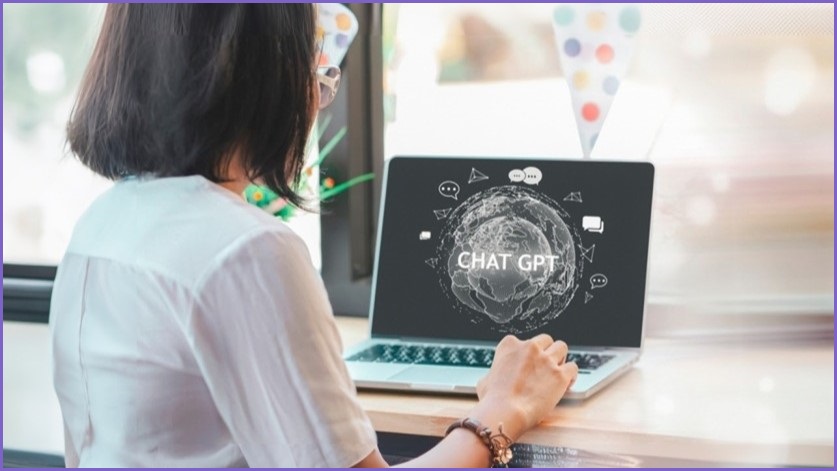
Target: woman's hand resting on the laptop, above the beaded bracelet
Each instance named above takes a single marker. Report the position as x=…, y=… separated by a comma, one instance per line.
x=526, y=381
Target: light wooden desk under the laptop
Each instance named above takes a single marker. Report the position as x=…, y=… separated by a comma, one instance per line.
x=765, y=404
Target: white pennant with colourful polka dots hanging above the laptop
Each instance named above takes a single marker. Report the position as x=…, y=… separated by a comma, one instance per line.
x=595, y=42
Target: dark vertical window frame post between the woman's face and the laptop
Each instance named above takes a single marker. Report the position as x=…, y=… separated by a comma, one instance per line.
x=349, y=224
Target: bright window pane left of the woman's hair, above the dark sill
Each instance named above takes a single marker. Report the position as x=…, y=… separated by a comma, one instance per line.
x=45, y=189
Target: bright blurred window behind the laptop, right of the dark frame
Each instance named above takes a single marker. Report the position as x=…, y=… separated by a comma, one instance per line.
x=734, y=105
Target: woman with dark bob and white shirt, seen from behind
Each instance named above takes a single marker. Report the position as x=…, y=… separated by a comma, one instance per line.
x=190, y=328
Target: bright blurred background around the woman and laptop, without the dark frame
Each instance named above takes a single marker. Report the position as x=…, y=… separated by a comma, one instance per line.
x=734, y=104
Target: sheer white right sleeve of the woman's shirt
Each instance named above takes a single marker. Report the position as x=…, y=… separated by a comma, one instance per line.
x=267, y=346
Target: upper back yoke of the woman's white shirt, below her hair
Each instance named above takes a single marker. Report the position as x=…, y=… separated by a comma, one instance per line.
x=181, y=227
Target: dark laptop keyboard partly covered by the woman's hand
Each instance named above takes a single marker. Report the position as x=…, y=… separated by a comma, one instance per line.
x=455, y=356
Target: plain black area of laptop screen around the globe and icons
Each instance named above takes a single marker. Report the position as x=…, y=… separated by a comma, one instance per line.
x=408, y=299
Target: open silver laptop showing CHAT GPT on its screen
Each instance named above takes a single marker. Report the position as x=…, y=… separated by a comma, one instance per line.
x=473, y=249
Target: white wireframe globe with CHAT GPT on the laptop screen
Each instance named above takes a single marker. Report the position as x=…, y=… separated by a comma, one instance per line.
x=510, y=258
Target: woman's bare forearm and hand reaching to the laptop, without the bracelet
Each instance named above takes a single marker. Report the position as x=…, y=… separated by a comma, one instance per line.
x=525, y=382
